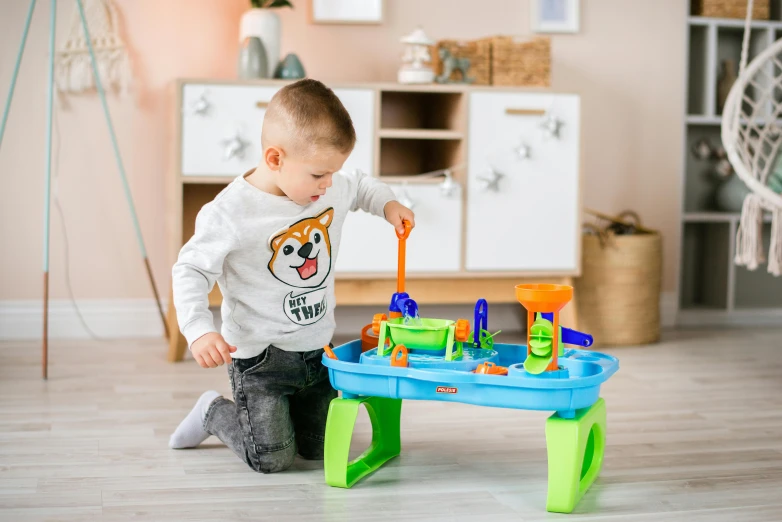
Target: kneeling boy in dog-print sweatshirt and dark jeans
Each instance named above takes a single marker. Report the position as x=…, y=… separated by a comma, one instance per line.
x=269, y=240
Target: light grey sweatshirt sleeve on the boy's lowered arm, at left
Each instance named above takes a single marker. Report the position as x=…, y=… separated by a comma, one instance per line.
x=198, y=266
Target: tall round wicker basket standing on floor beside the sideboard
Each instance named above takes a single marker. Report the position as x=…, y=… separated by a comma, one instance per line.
x=618, y=293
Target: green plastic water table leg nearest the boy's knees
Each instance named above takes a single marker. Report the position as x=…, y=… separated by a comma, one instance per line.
x=385, y=415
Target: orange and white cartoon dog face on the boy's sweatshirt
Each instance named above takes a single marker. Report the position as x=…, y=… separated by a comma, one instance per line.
x=302, y=253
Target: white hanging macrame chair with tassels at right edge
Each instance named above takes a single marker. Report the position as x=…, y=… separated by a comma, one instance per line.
x=753, y=141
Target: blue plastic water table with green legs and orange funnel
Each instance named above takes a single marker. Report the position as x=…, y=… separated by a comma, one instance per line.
x=415, y=358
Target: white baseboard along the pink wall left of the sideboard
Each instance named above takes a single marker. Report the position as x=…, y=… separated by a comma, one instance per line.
x=107, y=318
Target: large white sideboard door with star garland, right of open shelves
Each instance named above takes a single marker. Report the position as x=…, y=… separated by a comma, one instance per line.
x=527, y=221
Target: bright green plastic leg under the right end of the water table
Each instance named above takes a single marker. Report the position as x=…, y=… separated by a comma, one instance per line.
x=575, y=455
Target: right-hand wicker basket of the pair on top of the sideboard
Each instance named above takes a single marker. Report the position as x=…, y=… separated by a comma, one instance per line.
x=525, y=62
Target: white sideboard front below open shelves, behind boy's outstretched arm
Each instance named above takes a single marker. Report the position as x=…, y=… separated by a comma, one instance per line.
x=369, y=243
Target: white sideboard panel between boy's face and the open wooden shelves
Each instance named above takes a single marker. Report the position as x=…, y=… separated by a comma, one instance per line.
x=360, y=104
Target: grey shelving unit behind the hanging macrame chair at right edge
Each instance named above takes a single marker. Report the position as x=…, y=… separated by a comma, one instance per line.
x=712, y=289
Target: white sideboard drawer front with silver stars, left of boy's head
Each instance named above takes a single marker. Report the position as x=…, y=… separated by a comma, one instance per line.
x=221, y=128
